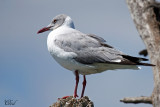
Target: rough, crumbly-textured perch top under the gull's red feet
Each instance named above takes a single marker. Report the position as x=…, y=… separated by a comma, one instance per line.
x=73, y=102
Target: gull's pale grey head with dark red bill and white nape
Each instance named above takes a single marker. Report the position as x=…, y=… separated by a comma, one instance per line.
x=58, y=21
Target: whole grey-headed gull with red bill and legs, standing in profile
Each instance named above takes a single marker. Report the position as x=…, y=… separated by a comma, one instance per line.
x=84, y=53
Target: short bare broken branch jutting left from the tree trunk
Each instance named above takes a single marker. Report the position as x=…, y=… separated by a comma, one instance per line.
x=136, y=100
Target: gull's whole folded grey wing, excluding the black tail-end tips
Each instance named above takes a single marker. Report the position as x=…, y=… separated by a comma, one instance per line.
x=89, y=49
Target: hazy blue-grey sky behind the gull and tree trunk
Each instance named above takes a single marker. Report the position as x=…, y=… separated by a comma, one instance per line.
x=30, y=75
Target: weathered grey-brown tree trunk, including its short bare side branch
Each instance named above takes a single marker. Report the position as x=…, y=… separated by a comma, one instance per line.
x=146, y=16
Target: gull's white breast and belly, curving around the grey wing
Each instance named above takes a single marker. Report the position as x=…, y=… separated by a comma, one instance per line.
x=64, y=58
